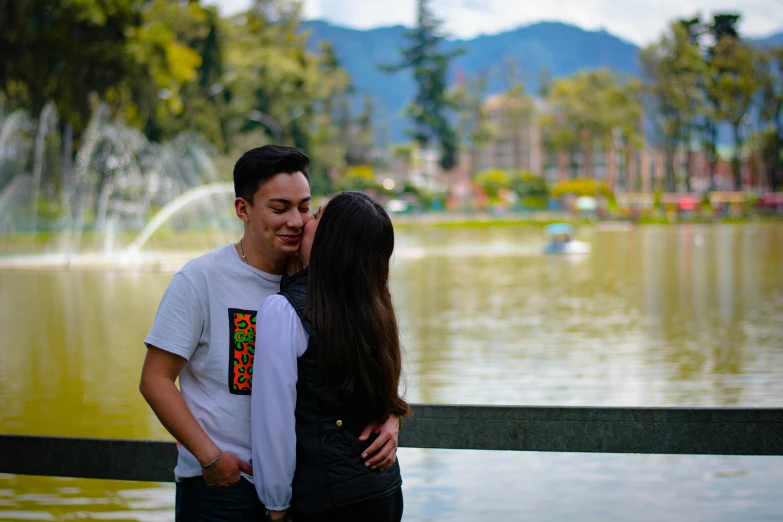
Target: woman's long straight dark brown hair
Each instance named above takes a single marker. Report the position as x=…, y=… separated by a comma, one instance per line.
x=352, y=312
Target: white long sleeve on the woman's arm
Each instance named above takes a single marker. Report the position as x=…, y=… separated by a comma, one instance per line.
x=280, y=341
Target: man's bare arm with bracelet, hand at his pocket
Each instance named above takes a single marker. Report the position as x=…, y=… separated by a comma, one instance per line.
x=158, y=376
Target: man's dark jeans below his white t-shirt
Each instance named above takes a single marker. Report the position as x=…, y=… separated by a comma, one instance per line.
x=197, y=502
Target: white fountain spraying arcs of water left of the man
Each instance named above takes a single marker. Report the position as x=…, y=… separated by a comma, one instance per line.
x=105, y=211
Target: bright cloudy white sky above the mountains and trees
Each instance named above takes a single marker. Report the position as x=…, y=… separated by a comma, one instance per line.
x=637, y=21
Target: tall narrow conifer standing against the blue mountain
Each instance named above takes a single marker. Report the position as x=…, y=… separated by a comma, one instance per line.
x=430, y=108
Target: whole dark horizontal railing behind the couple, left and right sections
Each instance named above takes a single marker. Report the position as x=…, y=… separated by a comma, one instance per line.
x=696, y=431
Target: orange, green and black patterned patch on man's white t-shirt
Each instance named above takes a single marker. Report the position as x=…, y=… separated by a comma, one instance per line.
x=242, y=328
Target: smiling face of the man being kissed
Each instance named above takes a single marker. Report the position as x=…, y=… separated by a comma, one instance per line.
x=276, y=219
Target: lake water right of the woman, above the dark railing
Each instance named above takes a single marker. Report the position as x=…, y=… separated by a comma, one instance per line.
x=636, y=323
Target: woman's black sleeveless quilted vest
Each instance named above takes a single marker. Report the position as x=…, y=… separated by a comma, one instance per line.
x=330, y=470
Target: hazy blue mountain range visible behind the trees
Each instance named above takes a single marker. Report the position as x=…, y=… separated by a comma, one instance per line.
x=560, y=49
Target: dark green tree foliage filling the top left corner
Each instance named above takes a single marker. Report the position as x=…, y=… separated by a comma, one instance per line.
x=65, y=51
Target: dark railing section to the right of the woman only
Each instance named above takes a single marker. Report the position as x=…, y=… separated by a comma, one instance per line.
x=696, y=431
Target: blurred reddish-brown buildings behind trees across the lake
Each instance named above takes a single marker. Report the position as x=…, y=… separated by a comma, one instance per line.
x=517, y=145
